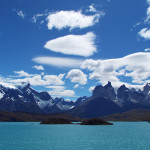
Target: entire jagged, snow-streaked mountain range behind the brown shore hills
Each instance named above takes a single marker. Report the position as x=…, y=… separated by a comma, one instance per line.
x=104, y=101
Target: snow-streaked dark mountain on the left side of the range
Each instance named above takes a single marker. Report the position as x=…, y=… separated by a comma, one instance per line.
x=25, y=99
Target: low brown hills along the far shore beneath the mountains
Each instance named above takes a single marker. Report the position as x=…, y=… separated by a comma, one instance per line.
x=136, y=115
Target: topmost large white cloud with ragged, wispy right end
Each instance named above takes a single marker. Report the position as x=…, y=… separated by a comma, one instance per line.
x=71, y=19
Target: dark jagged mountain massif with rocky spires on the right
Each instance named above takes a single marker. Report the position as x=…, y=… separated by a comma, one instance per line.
x=105, y=101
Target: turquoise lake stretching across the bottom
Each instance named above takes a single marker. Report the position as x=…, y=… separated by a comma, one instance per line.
x=33, y=136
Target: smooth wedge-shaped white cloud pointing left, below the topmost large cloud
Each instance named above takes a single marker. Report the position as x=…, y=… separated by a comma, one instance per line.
x=82, y=45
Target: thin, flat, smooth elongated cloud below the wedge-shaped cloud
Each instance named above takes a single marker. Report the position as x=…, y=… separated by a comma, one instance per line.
x=58, y=61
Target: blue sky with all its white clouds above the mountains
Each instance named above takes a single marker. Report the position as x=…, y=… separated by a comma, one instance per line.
x=67, y=47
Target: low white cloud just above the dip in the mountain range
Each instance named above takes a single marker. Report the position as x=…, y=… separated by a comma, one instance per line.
x=59, y=91
